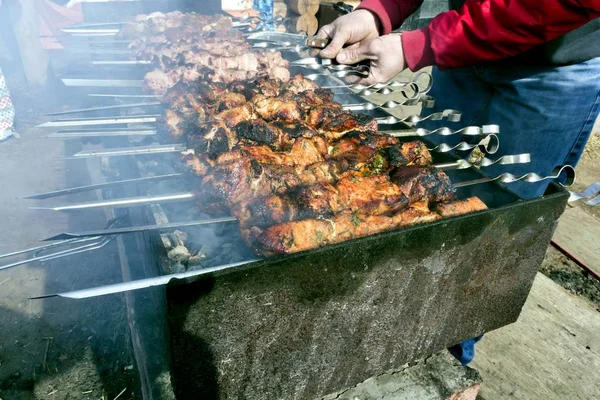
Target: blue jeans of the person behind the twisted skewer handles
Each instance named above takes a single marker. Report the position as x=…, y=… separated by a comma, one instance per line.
x=548, y=112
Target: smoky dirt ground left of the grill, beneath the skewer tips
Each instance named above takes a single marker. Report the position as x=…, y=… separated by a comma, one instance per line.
x=54, y=348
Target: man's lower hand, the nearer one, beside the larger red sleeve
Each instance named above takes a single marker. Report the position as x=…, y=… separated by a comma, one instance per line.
x=385, y=53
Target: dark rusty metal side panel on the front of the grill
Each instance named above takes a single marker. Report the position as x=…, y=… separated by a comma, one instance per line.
x=315, y=323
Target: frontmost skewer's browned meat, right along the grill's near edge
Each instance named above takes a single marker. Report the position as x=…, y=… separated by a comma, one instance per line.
x=307, y=234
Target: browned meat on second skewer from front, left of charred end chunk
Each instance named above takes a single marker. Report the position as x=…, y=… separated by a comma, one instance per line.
x=372, y=195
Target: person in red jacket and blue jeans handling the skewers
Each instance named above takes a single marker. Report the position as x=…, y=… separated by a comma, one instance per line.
x=532, y=67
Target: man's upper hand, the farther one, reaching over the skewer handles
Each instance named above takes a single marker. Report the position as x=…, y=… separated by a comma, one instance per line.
x=349, y=29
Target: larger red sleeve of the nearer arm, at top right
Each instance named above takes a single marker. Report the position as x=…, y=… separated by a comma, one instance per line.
x=486, y=30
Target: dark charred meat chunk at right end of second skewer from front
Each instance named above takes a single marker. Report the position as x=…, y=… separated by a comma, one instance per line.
x=424, y=183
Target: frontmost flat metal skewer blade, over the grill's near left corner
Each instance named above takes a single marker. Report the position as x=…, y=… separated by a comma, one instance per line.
x=142, y=283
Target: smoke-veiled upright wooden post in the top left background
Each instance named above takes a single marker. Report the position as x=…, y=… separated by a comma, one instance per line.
x=34, y=56
